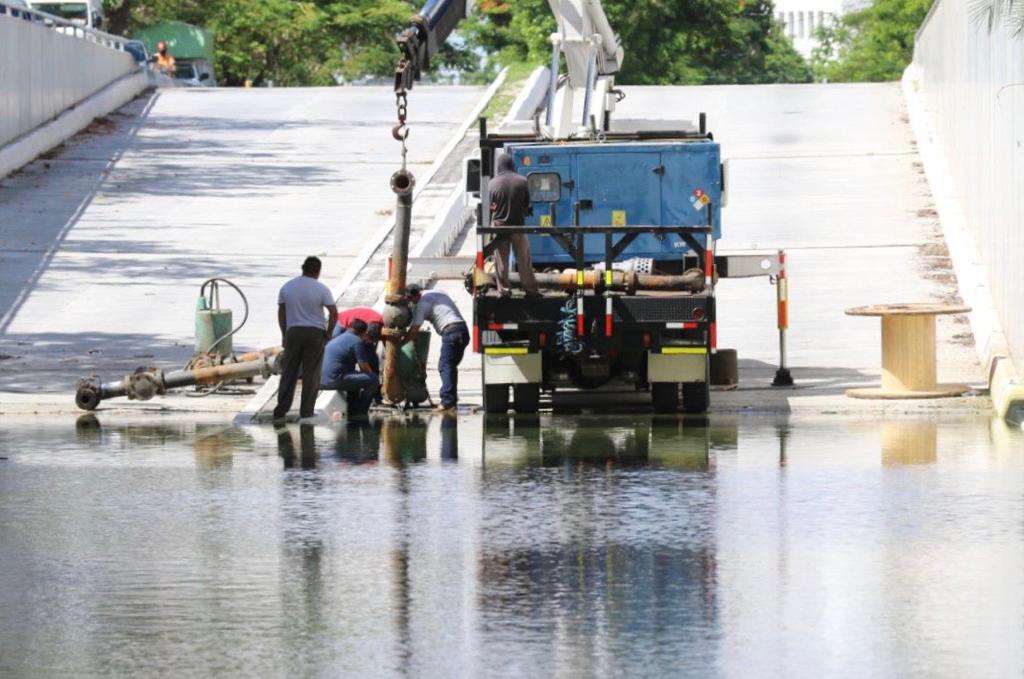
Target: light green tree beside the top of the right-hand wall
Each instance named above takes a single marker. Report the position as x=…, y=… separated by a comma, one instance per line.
x=872, y=46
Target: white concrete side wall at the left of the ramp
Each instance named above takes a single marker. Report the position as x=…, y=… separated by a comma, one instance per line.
x=44, y=73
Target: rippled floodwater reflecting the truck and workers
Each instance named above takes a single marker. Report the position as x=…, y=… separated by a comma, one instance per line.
x=553, y=546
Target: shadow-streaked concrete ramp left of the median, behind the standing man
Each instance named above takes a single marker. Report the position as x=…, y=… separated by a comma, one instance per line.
x=105, y=243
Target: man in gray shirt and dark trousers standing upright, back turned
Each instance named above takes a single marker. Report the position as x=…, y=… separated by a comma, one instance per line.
x=301, y=316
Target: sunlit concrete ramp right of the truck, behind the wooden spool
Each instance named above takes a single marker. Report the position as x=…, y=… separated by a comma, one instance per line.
x=832, y=175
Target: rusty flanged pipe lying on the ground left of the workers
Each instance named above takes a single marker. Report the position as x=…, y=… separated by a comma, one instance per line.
x=146, y=384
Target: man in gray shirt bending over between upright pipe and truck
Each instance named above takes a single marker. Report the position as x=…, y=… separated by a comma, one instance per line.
x=438, y=308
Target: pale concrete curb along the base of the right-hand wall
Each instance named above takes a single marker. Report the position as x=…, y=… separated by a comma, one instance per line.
x=991, y=344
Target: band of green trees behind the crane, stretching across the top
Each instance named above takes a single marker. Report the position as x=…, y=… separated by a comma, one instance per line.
x=318, y=43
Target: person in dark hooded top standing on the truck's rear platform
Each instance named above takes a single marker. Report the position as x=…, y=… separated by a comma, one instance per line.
x=509, y=207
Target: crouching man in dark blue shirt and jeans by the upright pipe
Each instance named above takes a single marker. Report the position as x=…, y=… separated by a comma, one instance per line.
x=348, y=368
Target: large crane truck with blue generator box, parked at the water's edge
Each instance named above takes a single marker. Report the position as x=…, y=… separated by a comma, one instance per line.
x=625, y=220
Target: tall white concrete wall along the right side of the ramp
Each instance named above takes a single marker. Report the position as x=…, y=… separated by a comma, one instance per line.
x=970, y=81
